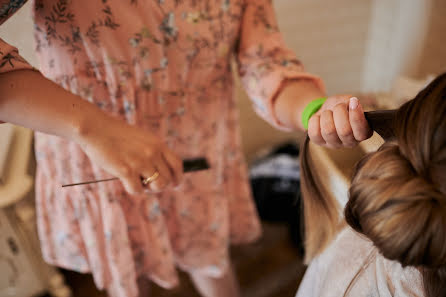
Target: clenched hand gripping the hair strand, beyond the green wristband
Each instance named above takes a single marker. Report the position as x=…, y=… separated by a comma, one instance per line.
x=339, y=123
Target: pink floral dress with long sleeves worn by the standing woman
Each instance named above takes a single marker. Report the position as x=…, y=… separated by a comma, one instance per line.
x=164, y=65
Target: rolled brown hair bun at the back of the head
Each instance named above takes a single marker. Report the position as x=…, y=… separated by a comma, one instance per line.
x=398, y=209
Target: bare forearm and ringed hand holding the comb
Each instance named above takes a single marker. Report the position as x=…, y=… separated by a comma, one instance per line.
x=31, y=100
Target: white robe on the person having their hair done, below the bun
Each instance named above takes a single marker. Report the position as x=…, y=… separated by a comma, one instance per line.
x=351, y=266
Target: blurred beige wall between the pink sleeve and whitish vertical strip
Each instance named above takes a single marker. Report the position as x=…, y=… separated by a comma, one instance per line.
x=329, y=37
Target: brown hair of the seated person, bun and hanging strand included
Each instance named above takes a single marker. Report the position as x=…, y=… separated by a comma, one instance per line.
x=398, y=194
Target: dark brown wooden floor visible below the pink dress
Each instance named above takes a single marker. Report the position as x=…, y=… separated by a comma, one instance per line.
x=268, y=268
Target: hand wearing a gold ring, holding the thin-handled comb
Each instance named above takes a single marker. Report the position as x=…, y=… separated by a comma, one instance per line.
x=129, y=153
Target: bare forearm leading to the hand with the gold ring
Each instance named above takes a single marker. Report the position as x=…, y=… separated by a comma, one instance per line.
x=28, y=99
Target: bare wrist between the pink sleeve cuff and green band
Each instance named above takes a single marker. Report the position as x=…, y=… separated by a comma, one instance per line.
x=293, y=99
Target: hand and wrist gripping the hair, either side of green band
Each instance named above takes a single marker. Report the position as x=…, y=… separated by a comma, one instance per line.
x=339, y=123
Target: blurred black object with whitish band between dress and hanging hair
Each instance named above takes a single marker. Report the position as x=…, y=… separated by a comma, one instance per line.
x=275, y=183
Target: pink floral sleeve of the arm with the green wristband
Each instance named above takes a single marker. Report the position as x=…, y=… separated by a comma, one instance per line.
x=264, y=61
